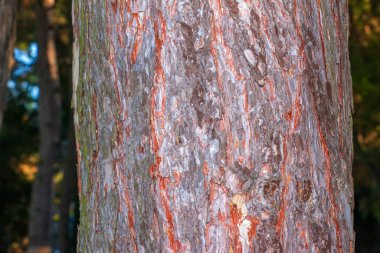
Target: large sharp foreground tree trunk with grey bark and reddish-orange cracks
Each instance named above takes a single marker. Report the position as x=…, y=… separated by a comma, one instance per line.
x=213, y=126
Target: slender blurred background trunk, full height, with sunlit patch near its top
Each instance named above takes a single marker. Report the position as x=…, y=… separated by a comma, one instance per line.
x=49, y=123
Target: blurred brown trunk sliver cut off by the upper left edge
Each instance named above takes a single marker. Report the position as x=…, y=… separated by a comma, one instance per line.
x=7, y=40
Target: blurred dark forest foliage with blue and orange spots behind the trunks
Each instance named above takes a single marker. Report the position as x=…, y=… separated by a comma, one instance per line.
x=21, y=137
